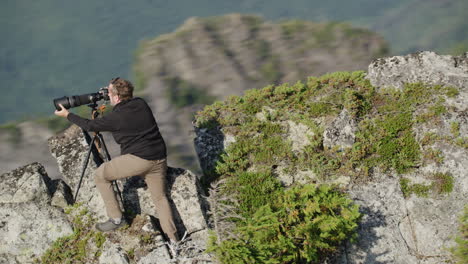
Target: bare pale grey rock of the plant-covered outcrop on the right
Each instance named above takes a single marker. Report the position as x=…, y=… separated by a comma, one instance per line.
x=397, y=228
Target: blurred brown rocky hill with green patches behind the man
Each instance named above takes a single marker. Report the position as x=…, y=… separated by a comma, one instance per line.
x=209, y=59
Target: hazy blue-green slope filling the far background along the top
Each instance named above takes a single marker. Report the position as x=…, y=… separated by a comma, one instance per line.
x=53, y=48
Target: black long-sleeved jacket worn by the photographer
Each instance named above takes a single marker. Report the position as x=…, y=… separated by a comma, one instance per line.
x=133, y=127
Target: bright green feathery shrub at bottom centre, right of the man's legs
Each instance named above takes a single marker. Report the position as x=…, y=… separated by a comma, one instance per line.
x=302, y=225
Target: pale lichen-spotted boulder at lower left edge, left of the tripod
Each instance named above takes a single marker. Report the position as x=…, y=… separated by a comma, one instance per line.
x=28, y=222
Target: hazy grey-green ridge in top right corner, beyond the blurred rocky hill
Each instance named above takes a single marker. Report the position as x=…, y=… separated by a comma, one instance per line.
x=416, y=25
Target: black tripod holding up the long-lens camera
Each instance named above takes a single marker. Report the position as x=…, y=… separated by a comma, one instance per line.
x=96, y=146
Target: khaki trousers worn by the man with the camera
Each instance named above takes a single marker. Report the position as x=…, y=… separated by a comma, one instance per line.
x=154, y=174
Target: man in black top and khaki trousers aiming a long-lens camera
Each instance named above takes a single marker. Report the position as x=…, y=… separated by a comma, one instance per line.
x=143, y=153
